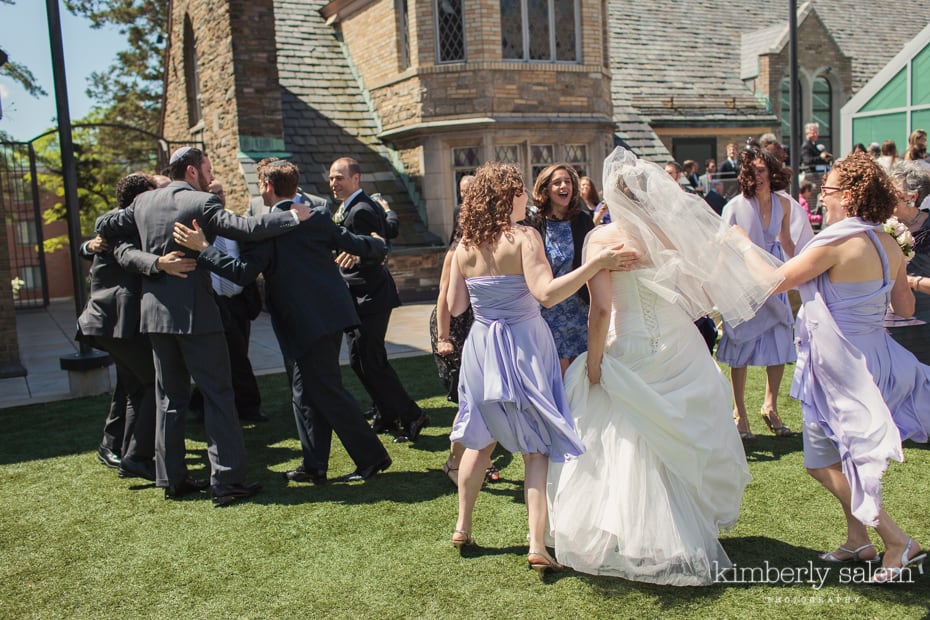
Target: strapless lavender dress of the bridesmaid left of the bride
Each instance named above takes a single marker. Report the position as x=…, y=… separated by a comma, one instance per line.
x=510, y=386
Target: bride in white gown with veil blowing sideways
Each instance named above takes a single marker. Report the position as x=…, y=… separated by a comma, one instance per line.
x=664, y=469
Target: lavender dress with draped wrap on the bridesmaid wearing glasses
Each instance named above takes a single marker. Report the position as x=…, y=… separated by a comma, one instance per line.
x=865, y=390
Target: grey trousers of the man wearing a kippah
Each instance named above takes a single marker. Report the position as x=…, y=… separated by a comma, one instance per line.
x=178, y=357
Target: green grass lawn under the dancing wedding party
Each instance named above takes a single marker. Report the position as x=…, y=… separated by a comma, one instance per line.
x=76, y=541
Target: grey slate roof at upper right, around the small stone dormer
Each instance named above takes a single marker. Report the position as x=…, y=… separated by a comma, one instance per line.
x=691, y=50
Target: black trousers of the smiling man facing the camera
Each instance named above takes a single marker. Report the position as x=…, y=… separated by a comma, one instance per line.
x=368, y=359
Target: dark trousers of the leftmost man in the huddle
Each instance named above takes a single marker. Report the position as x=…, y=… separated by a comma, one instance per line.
x=135, y=381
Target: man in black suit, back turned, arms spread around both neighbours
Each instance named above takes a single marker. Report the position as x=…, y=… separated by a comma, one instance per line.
x=310, y=309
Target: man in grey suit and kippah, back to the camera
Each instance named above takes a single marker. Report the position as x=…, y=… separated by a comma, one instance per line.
x=184, y=326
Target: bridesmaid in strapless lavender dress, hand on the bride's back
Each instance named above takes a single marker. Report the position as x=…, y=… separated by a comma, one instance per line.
x=510, y=387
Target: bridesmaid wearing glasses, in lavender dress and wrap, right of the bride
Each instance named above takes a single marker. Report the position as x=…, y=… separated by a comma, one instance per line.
x=861, y=393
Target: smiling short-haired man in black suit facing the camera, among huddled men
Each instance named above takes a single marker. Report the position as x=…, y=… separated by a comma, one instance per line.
x=375, y=295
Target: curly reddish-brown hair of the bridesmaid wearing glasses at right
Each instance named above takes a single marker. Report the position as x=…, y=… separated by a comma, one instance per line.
x=873, y=195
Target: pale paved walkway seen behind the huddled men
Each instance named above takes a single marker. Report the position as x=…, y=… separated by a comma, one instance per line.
x=48, y=334
